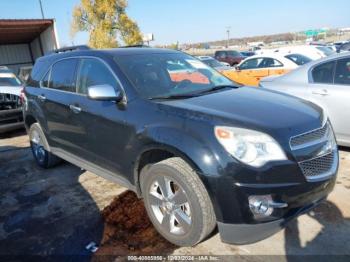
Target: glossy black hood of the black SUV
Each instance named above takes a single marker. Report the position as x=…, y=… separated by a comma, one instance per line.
x=257, y=109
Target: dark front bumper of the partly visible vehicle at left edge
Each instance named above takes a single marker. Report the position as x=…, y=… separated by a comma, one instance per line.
x=10, y=120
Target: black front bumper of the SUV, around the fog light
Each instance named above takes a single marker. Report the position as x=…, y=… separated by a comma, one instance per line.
x=284, y=183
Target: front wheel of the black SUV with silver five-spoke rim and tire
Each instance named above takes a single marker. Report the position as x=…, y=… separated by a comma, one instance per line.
x=177, y=202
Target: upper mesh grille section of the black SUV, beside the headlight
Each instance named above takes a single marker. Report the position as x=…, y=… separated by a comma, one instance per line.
x=309, y=137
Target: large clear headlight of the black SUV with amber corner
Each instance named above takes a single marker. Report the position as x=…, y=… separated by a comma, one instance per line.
x=248, y=146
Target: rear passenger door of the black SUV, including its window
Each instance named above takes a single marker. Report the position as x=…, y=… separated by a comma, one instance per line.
x=56, y=94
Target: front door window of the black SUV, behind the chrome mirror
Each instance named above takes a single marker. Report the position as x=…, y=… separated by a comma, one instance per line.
x=93, y=72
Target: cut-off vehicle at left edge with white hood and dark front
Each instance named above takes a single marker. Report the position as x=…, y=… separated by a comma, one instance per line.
x=11, y=117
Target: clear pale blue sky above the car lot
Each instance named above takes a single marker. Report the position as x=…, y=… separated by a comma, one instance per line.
x=193, y=21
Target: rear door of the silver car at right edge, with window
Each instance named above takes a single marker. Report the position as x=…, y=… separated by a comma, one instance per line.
x=331, y=90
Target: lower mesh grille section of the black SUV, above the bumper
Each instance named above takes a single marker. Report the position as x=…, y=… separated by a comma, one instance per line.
x=319, y=167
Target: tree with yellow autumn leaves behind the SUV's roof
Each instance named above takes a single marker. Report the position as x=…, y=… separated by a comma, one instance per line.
x=107, y=22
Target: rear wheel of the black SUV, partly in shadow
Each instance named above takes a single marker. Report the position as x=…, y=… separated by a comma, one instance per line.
x=39, y=146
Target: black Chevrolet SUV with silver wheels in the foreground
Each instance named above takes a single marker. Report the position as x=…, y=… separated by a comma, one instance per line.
x=200, y=151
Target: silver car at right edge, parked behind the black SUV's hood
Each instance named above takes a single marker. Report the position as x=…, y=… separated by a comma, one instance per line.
x=325, y=82
